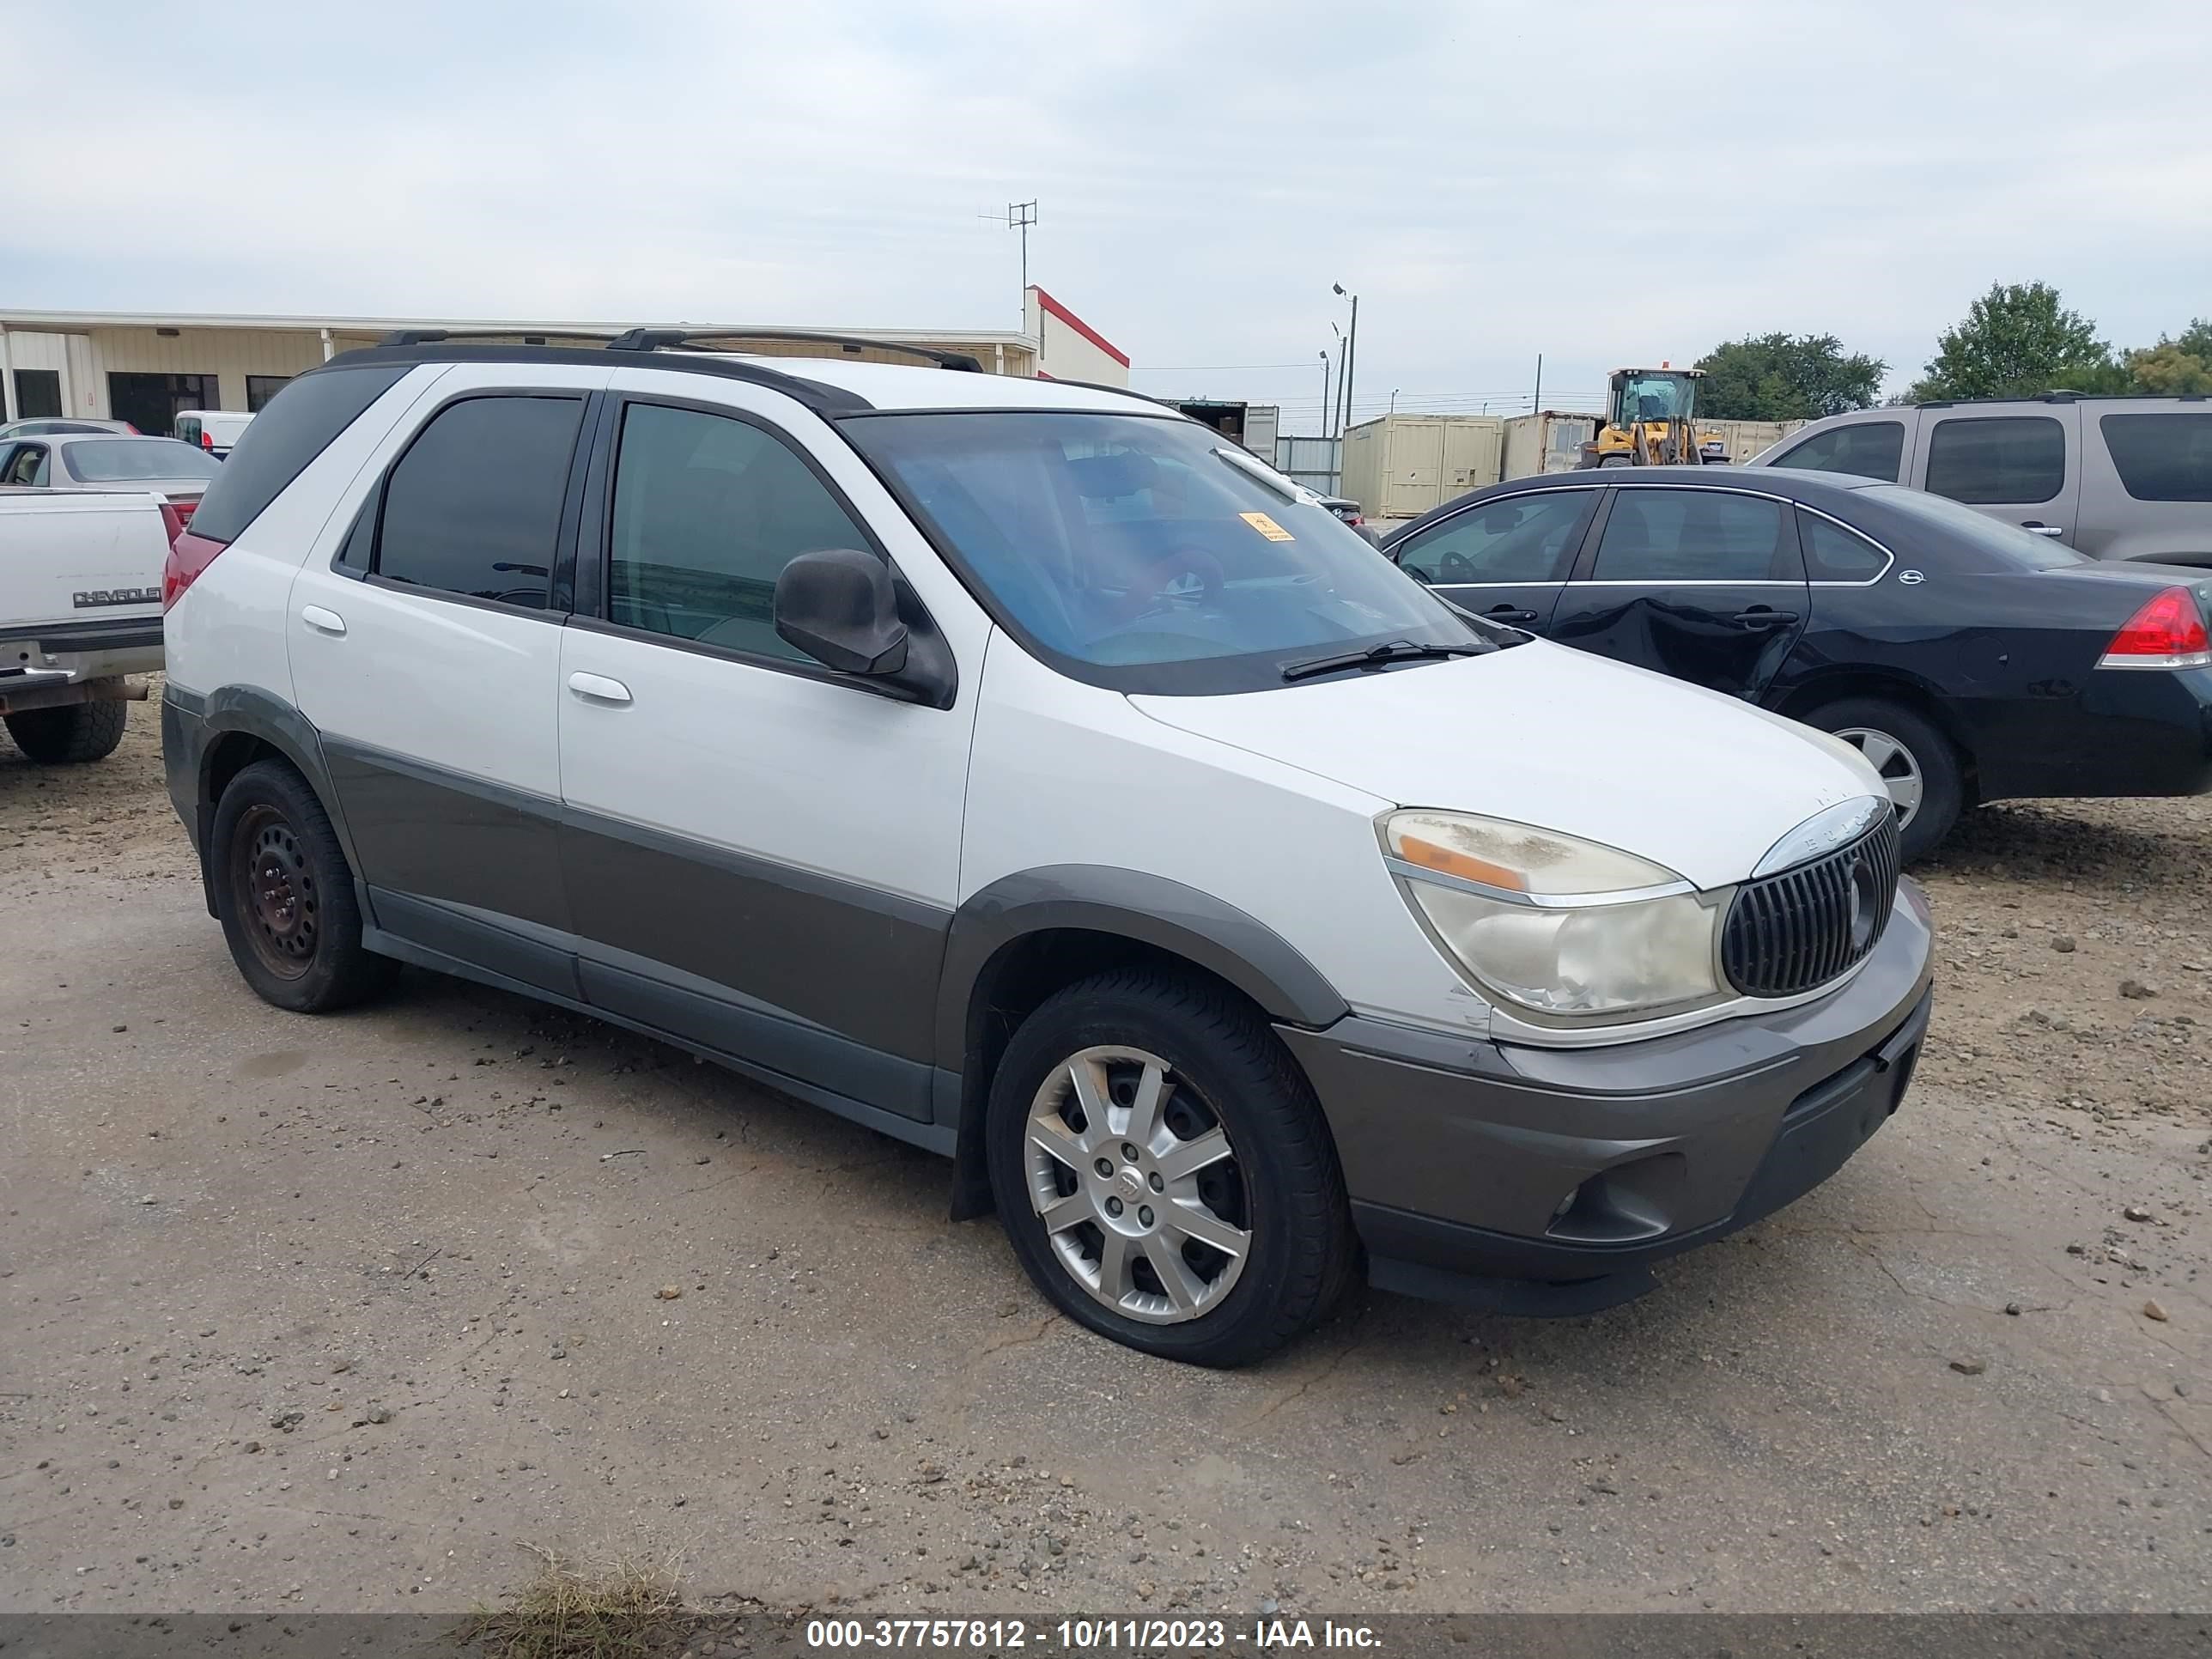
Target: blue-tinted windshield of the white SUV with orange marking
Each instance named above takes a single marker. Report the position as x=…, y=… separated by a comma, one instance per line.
x=1149, y=554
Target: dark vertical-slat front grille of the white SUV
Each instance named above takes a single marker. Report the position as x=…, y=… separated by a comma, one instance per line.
x=1799, y=930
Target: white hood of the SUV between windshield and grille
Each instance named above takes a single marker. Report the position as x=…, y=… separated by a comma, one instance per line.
x=1561, y=740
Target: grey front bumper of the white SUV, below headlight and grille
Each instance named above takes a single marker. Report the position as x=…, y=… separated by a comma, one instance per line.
x=1552, y=1180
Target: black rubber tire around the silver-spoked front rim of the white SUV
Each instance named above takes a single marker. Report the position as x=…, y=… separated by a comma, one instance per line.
x=1231, y=1070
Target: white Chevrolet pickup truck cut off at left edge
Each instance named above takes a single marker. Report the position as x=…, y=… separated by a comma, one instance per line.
x=81, y=607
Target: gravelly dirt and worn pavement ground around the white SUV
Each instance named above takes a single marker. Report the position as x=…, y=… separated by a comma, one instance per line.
x=348, y=1313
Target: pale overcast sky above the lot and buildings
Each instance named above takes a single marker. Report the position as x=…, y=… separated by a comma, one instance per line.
x=1594, y=182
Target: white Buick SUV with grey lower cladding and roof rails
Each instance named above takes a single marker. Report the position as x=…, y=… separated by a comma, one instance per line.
x=1025, y=773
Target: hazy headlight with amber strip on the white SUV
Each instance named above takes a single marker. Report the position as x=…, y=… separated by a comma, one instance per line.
x=1556, y=926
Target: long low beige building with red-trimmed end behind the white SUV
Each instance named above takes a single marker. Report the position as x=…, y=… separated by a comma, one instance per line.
x=147, y=366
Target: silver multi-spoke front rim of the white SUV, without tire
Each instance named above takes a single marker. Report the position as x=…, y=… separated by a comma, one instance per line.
x=1138, y=1187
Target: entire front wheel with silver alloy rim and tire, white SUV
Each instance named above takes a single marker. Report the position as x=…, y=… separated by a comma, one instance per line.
x=1165, y=1171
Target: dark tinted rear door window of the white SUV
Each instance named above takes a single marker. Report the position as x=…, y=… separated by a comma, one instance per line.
x=474, y=503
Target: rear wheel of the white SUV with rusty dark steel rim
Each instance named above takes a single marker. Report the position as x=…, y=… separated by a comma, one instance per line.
x=286, y=895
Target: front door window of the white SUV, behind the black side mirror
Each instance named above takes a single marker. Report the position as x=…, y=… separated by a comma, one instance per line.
x=707, y=514
